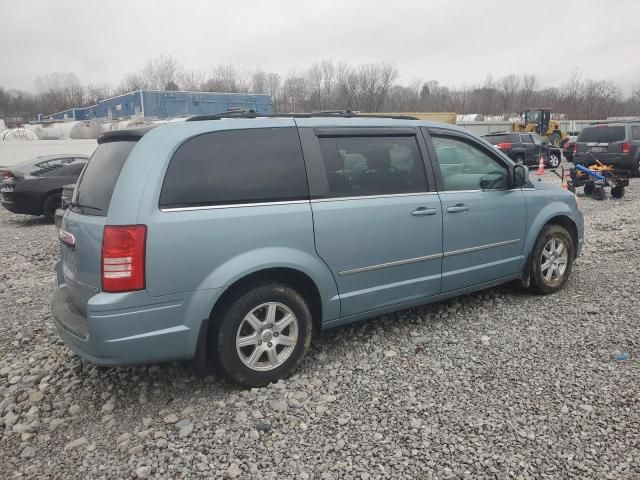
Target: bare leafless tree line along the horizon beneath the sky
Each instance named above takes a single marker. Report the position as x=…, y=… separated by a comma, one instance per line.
x=329, y=85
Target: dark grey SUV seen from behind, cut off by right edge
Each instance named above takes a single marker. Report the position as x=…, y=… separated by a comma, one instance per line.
x=612, y=143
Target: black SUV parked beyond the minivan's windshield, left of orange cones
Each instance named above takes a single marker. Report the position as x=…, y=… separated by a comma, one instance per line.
x=526, y=148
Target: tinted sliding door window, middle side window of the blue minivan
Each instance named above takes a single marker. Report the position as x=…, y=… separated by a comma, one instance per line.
x=357, y=166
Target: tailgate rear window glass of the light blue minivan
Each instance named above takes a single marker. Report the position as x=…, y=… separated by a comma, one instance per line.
x=98, y=180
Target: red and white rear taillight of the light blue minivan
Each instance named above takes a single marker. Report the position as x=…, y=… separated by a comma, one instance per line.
x=123, y=251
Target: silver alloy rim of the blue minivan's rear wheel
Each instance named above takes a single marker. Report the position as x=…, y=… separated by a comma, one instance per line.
x=267, y=336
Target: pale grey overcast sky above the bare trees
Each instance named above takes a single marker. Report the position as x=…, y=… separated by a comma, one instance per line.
x=456, y=42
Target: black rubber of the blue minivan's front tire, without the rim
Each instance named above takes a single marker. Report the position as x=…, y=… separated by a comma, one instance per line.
x=539, y=283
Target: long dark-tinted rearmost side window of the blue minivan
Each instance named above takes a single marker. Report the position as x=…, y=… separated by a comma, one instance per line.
x=236, y=166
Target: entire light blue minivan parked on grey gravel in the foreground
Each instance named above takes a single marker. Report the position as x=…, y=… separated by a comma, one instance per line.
x=230, y=240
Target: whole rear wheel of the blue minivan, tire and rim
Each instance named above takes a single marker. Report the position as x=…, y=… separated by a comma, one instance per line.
x=261, y=334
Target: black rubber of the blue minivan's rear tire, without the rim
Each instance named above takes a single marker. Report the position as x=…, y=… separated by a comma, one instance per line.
x=228, y=323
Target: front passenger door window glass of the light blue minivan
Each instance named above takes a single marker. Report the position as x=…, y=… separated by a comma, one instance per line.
x=467, y=167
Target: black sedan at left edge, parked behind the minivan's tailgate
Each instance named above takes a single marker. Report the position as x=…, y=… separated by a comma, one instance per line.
x=34, y=187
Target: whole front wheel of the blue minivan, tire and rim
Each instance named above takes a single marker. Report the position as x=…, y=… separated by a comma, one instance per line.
x=553, y=255
